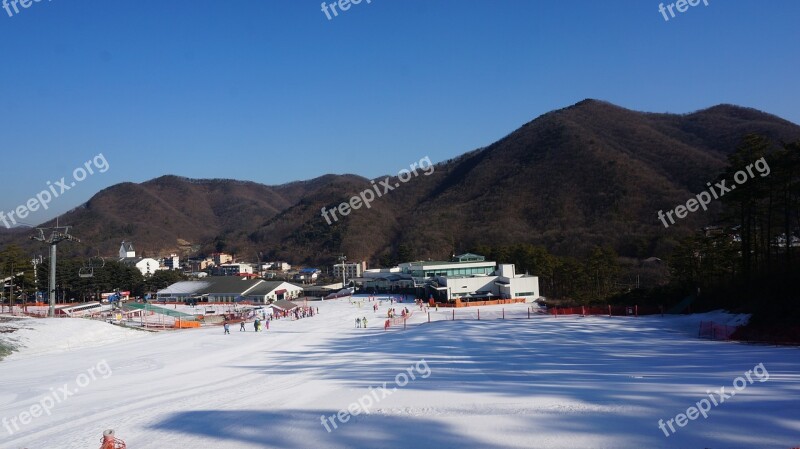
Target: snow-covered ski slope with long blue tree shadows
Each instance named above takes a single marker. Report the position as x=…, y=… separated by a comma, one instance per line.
x=543, y=382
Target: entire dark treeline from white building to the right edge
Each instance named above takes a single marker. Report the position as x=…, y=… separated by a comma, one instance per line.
x=747, y=261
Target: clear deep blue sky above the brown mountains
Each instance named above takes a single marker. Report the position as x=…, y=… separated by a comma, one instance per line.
x=272, y=91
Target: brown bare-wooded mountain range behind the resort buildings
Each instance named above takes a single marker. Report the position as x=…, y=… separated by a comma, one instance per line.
x=593, y=173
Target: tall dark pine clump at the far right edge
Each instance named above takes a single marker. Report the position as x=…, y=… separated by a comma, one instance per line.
x=751, y=258
